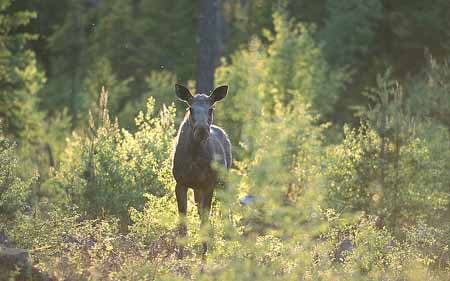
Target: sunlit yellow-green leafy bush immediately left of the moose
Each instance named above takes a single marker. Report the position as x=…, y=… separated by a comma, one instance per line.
x=109, y=170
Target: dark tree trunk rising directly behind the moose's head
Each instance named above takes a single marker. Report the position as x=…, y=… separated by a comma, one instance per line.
x=208, y=44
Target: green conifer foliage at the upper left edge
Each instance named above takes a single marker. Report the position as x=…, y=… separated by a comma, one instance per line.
x=20, y=77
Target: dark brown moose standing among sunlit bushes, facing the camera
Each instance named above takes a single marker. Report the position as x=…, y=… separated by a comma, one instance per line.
x=201, y=150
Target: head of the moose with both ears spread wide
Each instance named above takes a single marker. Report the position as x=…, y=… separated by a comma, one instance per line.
x=201, y=109
